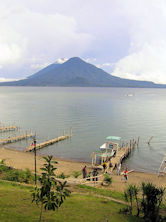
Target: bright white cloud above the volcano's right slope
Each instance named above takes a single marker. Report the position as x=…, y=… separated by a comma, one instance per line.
x=147, y=53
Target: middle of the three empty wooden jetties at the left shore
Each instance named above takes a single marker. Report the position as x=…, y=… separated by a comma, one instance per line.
x=16, y=138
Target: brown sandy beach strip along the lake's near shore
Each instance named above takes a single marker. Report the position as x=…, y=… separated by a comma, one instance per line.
x=21, y=160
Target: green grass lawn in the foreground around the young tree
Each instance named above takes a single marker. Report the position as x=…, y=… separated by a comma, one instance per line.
x=16, y=205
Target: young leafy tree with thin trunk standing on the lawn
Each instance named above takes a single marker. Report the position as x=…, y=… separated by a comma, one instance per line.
x=51, y=193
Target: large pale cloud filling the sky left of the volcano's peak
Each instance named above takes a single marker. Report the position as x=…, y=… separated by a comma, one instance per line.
x=26, y=34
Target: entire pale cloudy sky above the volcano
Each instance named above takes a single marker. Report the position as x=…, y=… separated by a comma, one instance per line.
x=126, y=38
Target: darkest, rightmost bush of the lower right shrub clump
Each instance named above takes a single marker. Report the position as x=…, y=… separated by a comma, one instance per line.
x=151, y=201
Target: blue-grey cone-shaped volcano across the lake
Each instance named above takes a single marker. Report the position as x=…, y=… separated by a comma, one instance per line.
x=76, y=72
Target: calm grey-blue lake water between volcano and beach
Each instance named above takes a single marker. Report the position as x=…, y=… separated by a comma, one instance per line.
x=93, y=114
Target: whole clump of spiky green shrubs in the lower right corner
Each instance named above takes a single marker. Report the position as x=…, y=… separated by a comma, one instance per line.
x=150, y=203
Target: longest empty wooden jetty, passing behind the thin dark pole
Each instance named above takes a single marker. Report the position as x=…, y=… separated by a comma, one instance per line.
x=49, y=142
